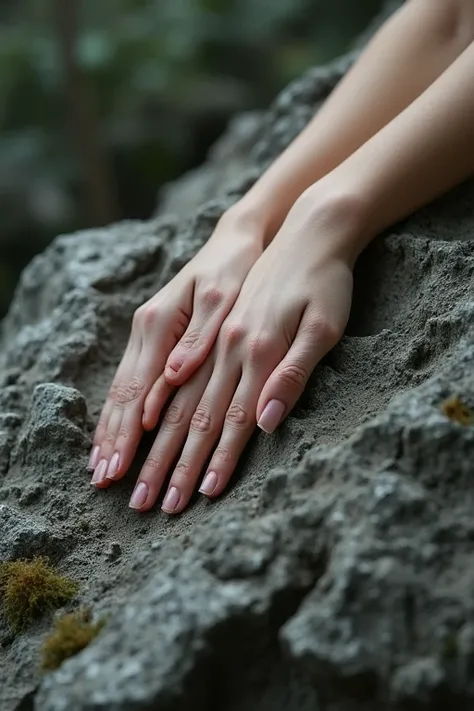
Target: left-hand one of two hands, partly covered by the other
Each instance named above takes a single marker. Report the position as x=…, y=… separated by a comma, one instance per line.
x=179, y=325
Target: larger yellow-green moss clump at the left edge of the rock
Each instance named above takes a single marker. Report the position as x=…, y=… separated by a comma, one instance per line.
x=31, y=587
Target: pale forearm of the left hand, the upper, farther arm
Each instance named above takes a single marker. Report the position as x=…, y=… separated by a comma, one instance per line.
x=410, y=51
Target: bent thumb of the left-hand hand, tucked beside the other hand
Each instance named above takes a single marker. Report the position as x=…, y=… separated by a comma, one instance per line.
x=210, y=308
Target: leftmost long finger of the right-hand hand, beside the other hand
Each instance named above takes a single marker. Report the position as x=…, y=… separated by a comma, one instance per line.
x=169, y=440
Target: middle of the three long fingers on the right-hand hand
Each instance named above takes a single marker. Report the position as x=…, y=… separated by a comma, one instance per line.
x=204, y=431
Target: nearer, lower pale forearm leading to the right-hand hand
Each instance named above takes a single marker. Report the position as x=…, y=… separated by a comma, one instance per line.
x=422, y=153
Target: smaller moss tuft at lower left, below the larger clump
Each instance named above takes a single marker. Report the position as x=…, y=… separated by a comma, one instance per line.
x=72, y=634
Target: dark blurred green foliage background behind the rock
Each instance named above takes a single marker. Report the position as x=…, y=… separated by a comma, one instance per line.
x=103, y=101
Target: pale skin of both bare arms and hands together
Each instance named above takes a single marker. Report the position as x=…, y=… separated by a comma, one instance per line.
x=238, y=332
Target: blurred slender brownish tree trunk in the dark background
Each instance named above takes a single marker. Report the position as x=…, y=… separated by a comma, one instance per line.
x=85, y=128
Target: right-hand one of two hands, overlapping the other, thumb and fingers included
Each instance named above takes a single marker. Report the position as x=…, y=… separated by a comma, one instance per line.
x=292, y=309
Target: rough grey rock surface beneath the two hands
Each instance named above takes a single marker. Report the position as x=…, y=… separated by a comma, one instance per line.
x=337, y=574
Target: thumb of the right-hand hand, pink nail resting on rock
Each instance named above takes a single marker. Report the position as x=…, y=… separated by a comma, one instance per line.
x=315, y=337
